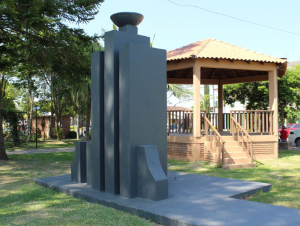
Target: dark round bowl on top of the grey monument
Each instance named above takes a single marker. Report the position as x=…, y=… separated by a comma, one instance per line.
x=127, y=18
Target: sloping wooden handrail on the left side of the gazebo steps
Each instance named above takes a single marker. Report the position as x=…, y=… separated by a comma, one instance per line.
x=214, y=136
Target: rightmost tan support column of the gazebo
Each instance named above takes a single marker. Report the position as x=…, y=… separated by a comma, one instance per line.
x=273, y=103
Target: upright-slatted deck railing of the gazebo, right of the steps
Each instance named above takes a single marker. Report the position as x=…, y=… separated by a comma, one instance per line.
x=254, y=121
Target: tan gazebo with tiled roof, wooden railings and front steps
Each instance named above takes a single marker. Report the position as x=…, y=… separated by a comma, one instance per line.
x=233, y=140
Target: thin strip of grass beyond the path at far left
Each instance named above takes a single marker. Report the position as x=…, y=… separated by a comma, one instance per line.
x=49, y=143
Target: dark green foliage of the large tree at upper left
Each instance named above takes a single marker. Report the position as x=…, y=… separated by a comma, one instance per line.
x=37, y=41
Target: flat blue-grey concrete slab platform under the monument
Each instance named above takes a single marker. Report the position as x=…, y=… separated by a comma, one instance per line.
x=193, y=200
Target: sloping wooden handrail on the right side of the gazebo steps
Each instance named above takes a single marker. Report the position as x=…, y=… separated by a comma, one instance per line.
x=243, y=135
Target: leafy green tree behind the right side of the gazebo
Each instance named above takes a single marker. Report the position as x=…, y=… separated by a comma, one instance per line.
x=256, y=95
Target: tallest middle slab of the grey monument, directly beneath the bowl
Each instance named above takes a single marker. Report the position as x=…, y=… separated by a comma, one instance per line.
x=113, y=41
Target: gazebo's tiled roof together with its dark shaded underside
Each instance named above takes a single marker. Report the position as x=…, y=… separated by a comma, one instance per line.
x=217, y=50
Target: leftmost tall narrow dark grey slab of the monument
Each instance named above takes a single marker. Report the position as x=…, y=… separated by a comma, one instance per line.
x=95, y=148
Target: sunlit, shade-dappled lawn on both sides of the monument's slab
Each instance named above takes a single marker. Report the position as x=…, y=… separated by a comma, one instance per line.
x=23, y=202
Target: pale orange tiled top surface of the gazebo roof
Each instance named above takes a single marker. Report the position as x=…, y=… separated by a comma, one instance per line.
x=215, y=49
